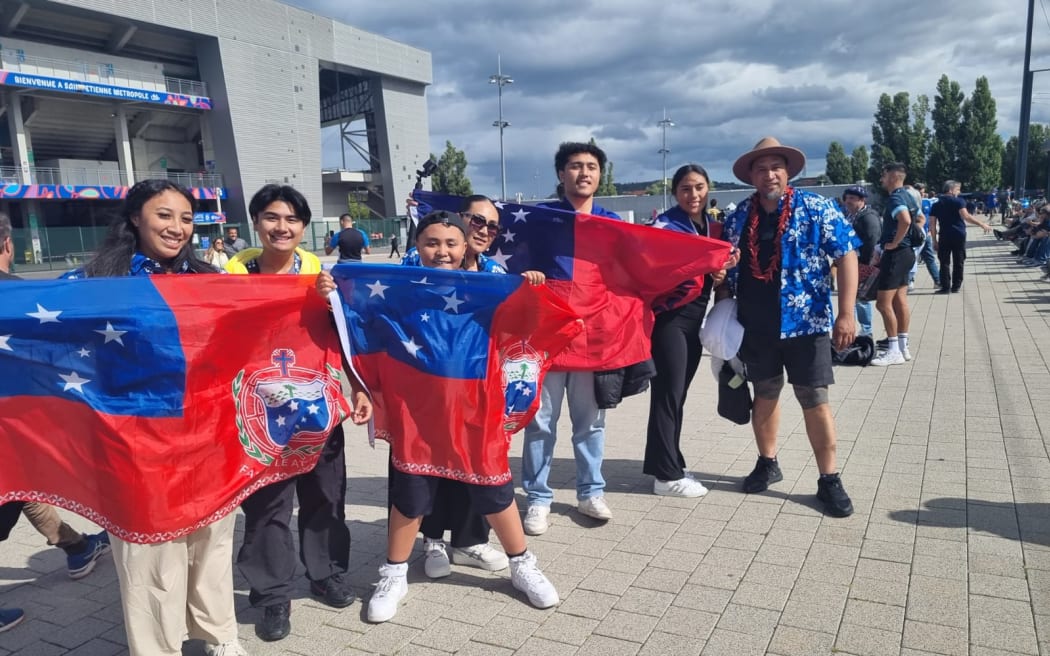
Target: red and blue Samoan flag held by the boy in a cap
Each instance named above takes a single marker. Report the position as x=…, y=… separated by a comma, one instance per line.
x=453, y=362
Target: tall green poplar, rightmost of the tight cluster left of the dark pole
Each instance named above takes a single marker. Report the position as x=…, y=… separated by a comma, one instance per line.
x=981, y=147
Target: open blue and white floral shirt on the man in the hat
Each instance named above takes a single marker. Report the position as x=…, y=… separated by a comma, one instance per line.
x=816, y=236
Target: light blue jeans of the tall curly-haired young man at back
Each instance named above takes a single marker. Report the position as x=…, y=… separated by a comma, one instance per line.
x=589, y=437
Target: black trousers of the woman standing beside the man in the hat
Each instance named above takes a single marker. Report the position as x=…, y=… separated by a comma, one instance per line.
x=677, y=353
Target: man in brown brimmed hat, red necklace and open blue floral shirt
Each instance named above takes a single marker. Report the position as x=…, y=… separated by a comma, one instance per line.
x=787, y=240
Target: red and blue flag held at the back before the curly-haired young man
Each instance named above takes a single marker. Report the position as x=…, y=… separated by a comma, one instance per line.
x=610, y=272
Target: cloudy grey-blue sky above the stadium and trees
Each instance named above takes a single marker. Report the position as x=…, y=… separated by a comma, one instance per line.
x=809, y=72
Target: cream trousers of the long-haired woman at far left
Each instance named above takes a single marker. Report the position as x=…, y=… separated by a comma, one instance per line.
x=178, y=589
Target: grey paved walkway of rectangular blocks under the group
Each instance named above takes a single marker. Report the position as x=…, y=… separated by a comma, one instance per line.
x=948, y=554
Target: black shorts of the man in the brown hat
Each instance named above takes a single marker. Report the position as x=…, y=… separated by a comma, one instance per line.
x=808, y=359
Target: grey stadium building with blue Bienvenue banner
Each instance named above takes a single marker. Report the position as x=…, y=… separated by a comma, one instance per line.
x=220, y=96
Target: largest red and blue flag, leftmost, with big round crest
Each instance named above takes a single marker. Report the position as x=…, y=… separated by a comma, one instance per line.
x=155, y=406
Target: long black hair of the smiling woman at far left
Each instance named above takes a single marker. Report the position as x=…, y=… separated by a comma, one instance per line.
x=115, y=256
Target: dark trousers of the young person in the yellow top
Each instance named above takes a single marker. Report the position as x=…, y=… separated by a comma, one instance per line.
x=267, y=559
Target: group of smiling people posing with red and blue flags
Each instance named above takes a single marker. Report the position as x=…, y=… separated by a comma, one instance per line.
x=785, y=243
